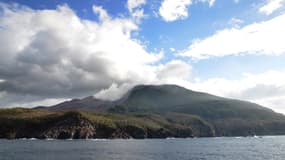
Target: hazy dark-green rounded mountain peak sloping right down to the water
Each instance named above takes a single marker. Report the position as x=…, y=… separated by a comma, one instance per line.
x=229, y=117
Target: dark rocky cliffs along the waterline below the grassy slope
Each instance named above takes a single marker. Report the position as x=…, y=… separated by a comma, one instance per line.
x=73, y=125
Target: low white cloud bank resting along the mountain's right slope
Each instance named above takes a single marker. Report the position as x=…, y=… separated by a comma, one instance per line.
x=267, y=89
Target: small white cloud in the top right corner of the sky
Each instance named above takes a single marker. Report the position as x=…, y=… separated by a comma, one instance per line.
x=270, y=6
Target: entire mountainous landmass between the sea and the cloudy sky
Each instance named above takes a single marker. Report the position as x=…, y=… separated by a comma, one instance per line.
x=146, y=111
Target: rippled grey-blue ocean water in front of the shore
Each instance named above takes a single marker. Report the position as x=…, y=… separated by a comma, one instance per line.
x=265, y=148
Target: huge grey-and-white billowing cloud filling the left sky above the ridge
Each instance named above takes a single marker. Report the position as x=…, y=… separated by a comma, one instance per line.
x=53, y=54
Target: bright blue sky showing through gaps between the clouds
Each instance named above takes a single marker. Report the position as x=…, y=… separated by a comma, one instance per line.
x=202, y=22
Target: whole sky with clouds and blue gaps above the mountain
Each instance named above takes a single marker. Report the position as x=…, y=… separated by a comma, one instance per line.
x=56, y=50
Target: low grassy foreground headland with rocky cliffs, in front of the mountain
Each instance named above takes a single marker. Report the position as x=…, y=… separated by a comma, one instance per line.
x=99, y=125
